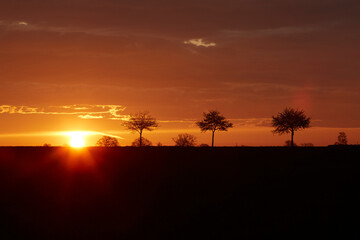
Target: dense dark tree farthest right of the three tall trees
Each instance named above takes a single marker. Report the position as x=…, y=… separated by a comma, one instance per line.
x=290, y=121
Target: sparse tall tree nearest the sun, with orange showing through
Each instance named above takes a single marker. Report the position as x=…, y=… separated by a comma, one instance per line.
x=139, y=122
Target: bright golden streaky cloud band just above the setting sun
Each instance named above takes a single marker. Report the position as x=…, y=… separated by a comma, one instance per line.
x=81, y=111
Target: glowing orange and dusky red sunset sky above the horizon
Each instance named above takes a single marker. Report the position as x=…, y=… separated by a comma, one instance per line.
x=84, y=65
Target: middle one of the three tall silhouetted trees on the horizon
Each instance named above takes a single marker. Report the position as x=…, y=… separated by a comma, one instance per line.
x=213, y=122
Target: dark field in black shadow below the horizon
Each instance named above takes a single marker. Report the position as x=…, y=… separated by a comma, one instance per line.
x=179, y=193
